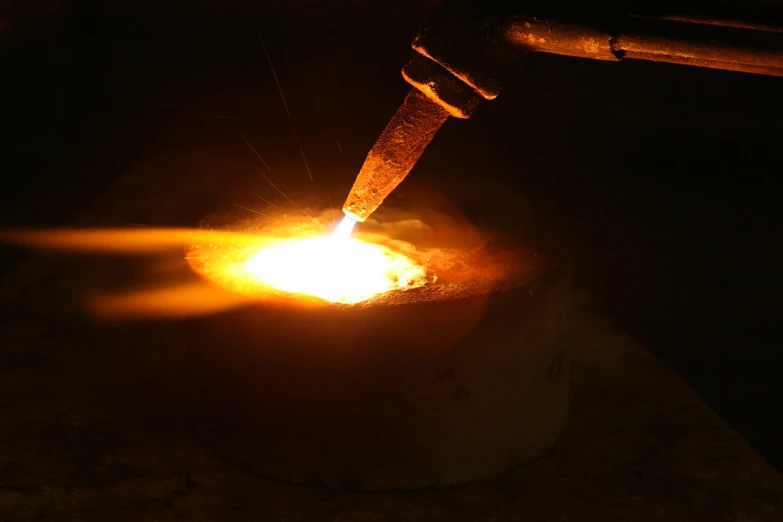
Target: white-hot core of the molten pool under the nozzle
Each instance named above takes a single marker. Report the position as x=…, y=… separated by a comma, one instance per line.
x=336, y=269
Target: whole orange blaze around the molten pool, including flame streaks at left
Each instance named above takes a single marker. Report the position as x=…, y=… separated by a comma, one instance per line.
x=281, y=260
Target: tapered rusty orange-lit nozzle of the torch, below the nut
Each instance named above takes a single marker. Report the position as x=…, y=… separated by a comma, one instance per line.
x=395, y=153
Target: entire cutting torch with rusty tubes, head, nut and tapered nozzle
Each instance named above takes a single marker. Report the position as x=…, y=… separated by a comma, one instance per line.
x=467, y=48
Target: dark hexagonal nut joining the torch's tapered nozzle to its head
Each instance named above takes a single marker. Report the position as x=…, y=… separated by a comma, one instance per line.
x=440, y=86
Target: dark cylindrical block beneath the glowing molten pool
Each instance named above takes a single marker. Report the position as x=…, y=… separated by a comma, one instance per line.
x=435, y=386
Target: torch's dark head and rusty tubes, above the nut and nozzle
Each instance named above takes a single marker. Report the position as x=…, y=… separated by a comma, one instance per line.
x=477, y=41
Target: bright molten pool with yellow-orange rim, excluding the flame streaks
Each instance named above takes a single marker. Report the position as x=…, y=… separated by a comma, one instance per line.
x=311, y=264
